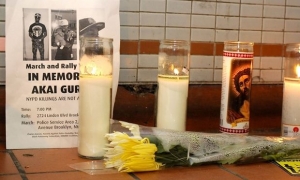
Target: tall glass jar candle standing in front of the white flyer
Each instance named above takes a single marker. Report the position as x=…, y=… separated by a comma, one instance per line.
x=95, y=83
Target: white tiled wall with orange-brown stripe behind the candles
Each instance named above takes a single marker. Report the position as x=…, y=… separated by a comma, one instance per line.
x=207, y=24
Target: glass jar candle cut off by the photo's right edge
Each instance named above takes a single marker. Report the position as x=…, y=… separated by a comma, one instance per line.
x=291, y=92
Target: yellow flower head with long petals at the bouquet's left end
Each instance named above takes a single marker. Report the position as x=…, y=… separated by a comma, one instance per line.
x=130, y=154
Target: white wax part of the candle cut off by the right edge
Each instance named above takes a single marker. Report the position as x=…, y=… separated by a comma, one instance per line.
x=291, y=108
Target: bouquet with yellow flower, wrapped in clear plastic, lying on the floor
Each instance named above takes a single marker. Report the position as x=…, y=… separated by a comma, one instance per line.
x=134, y=148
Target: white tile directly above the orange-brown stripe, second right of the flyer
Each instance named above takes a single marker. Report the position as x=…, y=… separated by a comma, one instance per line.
x=154, y=33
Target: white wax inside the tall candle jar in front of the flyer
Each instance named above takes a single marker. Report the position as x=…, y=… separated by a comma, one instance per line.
x=94, y=114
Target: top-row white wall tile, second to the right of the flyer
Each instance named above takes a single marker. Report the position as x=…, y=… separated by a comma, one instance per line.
x=153, y=5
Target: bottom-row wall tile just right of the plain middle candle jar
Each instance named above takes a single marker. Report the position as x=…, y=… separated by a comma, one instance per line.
x=201, y=75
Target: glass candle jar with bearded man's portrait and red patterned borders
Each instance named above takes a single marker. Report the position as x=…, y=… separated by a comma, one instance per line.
x=236, y=86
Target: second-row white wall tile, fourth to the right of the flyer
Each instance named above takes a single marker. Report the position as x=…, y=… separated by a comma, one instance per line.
x=203, y=21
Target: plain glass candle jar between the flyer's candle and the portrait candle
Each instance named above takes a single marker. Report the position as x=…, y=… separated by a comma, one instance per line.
x=173, y=83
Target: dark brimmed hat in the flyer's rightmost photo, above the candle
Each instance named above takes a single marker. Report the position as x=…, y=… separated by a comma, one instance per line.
x=86, y=23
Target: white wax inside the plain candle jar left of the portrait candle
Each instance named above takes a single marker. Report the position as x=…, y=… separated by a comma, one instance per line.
x=172, y=103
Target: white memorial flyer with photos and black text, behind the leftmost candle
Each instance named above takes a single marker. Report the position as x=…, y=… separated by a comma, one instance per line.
x=42, y=67
